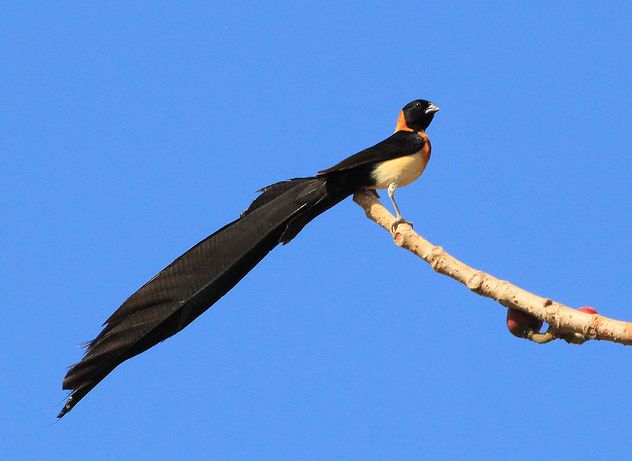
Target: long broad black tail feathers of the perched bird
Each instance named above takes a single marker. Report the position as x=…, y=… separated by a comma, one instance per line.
x=196, y=280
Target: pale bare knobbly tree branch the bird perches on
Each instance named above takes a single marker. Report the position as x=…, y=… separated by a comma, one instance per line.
x=564, y=322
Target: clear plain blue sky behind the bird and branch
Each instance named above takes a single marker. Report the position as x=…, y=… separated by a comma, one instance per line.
x=131, y=130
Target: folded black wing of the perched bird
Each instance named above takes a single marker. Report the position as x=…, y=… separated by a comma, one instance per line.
x=399, y=144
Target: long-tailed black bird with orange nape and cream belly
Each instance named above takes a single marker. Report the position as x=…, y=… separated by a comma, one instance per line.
x=197, y=279
